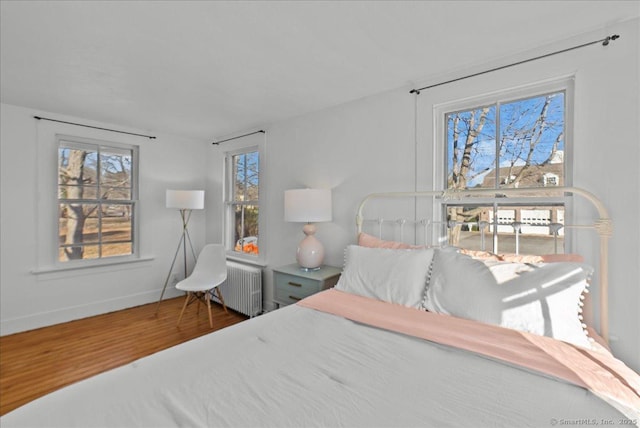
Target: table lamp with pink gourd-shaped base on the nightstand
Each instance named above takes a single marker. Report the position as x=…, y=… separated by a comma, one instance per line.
x=308, y=206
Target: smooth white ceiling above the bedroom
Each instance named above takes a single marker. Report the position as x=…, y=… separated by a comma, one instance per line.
x=208, y=69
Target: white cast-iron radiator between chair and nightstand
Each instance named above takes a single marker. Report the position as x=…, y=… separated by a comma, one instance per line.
x=242, y=290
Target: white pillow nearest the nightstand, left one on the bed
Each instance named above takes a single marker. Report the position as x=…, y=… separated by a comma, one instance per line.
x=396, y=276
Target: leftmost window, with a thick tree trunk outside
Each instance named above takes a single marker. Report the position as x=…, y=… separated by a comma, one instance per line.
x=96, y=199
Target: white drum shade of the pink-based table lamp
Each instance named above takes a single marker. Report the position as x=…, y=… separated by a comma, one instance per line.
x=307, y=205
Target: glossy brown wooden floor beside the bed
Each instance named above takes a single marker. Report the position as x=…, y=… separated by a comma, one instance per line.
x=37, y=362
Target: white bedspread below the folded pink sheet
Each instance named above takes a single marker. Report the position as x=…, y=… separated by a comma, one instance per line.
x=298, y=367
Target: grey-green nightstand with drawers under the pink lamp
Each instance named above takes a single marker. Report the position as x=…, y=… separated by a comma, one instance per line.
x=292, y=283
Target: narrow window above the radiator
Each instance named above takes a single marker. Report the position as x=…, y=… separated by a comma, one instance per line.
x=243, y=207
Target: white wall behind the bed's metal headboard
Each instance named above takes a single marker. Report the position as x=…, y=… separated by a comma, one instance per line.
x=368, y=145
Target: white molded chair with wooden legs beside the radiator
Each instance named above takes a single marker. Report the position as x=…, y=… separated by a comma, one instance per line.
x=209, y=272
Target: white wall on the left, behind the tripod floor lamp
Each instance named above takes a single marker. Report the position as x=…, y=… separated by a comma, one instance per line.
x=31, y=300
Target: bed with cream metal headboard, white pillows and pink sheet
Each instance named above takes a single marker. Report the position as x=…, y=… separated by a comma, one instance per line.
x=412, y=335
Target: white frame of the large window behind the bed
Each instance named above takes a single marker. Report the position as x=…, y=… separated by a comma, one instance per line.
x=440, y=153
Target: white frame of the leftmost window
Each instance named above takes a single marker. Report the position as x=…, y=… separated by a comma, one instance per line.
x=133, y=201
